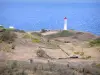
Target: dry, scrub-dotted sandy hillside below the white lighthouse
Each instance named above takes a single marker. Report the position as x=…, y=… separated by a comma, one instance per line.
x=46, y=52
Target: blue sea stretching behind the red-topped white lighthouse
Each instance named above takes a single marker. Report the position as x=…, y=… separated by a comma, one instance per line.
x=36, y=16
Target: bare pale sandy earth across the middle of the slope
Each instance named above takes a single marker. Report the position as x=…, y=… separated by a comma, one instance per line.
x=25, y=49
